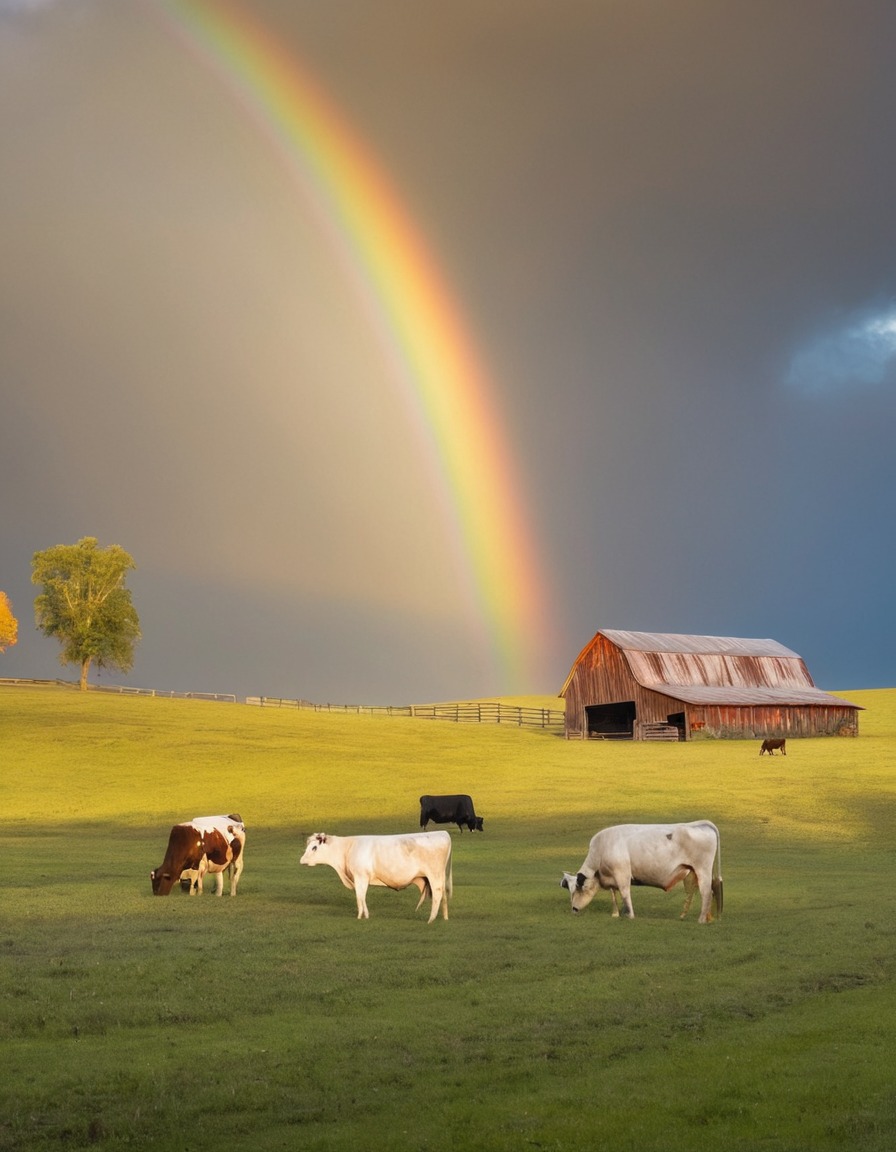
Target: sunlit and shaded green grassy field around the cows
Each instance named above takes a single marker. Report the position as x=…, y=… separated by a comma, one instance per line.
x=279, y=1021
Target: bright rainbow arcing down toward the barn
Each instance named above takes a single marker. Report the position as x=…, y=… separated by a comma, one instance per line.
x=447, y=390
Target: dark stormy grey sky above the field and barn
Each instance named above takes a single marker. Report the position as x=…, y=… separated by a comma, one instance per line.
x=667, y=233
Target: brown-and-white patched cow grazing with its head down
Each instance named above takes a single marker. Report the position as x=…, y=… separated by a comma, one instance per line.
x=208, y=844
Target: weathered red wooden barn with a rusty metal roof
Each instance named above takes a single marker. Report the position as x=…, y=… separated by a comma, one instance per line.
x=657, y=686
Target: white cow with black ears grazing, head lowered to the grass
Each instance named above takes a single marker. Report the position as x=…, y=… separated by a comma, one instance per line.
x=656, y=857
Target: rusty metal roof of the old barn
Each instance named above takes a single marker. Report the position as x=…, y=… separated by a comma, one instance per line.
x=717, y=670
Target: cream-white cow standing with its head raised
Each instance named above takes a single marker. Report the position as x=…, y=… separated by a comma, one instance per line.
x=420, y=859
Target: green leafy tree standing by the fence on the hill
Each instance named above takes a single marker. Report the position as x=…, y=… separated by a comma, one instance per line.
x=86, y=604
